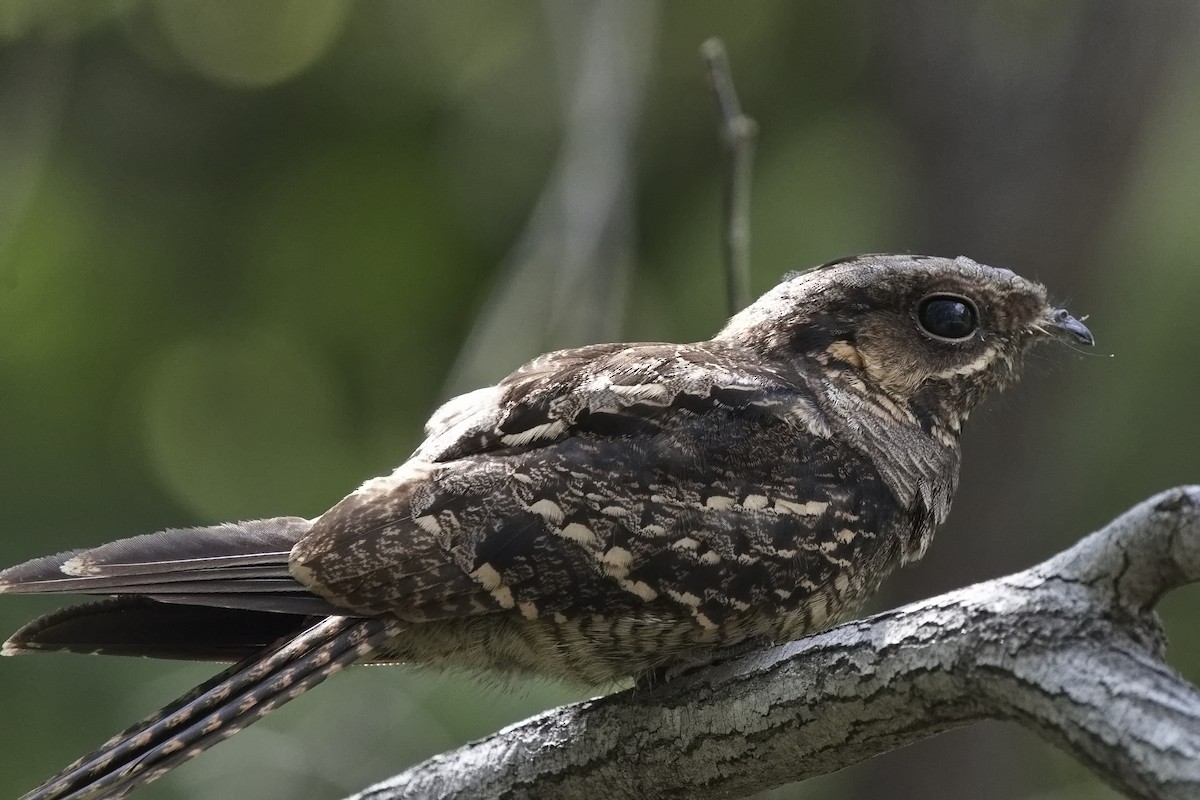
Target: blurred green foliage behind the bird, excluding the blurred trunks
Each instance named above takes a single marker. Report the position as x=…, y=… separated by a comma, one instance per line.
x=242, y=244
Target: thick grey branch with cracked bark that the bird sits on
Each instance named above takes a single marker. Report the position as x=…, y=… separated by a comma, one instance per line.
x=1069, y=648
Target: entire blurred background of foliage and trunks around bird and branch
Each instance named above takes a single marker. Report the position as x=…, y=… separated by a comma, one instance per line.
x=247, y=248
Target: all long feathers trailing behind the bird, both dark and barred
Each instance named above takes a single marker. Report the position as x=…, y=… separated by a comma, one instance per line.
x=220, y=593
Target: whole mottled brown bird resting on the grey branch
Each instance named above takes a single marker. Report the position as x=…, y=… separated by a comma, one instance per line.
x=602, y=514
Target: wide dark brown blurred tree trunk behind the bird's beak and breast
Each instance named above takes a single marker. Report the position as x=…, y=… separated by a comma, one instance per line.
x=1025, y=123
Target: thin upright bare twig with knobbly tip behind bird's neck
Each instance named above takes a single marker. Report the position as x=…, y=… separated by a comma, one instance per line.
x=739, y=134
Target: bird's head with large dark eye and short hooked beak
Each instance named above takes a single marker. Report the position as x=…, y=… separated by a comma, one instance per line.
x=941, y=330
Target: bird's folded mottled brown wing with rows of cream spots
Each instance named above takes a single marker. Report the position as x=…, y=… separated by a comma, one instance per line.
x=602, y=480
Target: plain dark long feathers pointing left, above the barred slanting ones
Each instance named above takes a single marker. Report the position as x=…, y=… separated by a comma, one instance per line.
x=220, y=593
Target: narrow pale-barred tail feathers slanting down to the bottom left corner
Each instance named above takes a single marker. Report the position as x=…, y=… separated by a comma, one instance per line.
x=218, y=709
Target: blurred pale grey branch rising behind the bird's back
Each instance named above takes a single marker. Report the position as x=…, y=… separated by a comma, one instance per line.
x=565, y=282
